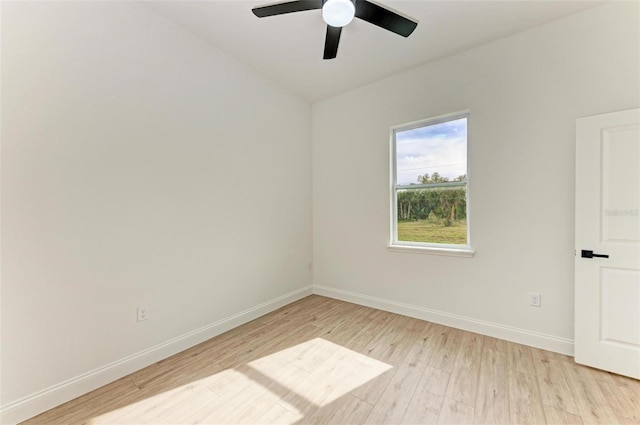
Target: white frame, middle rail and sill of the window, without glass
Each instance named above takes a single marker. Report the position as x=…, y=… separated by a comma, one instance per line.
x=461, y=250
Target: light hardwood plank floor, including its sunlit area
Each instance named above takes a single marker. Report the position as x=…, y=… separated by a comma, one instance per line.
x=323, y=361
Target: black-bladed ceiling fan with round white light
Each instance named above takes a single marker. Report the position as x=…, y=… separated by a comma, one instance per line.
x=338, y=13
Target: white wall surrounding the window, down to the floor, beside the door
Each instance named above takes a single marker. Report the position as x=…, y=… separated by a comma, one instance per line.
x=524, y=93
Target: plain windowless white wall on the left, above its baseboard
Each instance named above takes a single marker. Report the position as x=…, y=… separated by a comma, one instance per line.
x=140, y=167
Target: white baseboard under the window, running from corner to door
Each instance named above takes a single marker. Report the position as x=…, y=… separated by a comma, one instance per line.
x=521, y=336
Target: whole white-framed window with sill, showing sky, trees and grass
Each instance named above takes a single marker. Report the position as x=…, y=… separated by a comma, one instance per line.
x=430, y=185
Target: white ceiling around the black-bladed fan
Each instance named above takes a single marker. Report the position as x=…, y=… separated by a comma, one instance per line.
x=288, y=48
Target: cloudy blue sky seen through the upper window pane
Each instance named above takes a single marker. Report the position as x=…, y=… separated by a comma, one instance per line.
x=438, y=148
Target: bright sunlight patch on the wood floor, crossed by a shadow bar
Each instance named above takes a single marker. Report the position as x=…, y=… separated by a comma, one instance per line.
x=277, y=388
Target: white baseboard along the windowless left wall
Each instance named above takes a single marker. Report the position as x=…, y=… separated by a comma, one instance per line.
x=55, y=395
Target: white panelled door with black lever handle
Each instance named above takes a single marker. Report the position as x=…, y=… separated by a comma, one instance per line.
x=607, y=265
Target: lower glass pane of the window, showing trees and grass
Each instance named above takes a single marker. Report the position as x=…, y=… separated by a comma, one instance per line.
x=433, y=215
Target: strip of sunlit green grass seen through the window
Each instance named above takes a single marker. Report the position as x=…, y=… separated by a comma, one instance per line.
x=428, y=231
